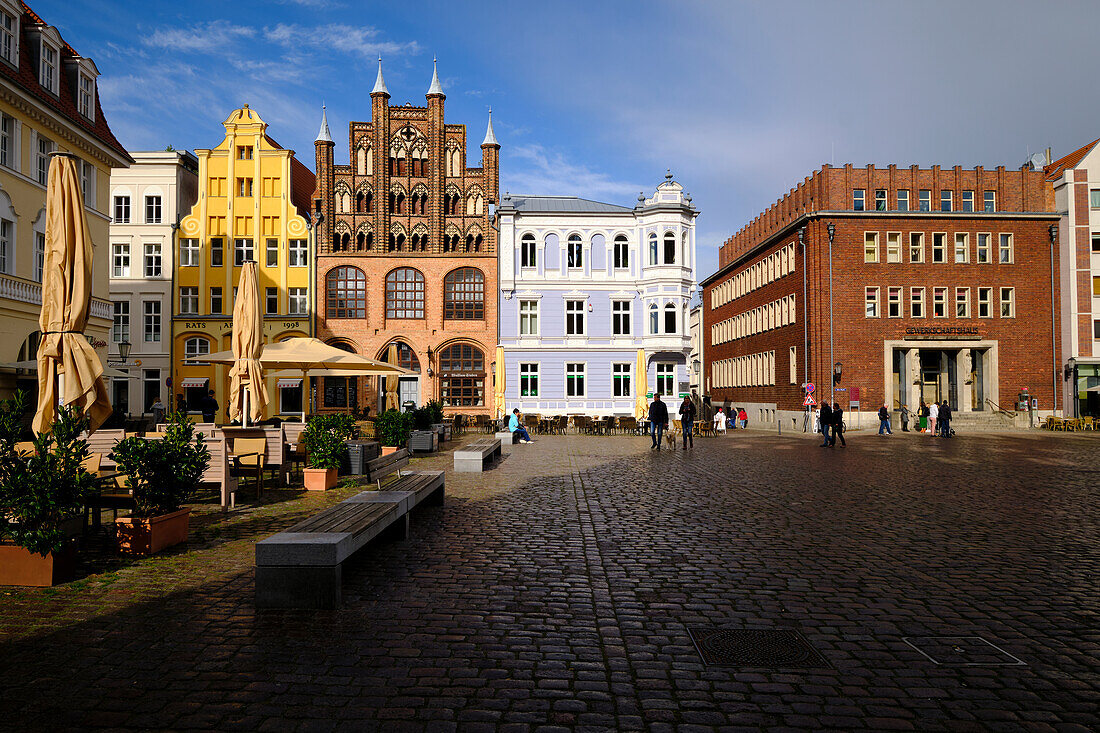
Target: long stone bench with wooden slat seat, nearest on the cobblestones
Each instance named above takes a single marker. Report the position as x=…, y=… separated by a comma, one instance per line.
x=302, y=567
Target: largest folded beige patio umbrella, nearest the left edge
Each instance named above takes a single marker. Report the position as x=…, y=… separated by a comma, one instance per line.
x=67, y=299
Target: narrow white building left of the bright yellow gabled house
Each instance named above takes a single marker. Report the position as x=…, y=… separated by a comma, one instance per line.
x=147, y=202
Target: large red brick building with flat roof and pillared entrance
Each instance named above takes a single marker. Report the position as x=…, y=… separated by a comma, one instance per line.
x=940, y=283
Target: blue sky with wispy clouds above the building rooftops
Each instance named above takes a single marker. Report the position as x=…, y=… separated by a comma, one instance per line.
x=597, y=100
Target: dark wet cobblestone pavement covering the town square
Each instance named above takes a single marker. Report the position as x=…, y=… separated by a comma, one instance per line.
x=557, y=592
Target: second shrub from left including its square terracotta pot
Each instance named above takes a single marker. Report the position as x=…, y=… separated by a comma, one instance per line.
x=163, y=475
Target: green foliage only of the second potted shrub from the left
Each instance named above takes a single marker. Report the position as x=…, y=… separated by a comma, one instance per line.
x=164, y=474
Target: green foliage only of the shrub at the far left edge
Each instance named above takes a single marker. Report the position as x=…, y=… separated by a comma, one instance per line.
x=40, y=491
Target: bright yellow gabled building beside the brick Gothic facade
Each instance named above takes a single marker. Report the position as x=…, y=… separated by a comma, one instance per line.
x=254, y=205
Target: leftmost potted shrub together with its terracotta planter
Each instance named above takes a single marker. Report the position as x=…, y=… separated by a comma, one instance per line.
x=39, y=496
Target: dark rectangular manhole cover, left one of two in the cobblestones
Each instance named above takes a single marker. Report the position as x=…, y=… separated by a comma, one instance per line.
x=772, y=649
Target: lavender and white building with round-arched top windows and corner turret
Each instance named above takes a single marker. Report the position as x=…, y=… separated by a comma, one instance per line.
x=589, y=293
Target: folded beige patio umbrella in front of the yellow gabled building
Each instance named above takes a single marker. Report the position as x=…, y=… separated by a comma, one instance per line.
x=247, y=380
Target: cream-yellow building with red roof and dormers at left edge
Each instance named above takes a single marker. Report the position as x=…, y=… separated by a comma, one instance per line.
x=49, y=102
